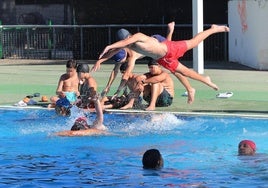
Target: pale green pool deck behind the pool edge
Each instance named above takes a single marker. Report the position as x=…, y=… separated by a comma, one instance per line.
x=19, y=78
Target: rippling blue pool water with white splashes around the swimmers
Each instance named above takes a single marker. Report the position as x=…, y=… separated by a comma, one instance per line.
x=198, y=151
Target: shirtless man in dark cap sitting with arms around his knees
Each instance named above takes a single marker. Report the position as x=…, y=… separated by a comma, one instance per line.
x=159, y=87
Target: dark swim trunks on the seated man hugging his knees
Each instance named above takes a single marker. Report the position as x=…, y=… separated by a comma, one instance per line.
x=164, y=99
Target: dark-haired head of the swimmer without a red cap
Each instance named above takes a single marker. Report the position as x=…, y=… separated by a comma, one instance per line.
x=152, y=159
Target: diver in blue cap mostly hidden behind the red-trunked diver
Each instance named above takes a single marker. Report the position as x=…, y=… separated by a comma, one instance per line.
x=126, y=55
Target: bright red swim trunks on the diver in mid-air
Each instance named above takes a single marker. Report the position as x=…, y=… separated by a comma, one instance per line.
x=176, y=49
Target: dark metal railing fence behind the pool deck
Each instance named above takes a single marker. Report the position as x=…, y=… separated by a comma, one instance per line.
x=87, y=41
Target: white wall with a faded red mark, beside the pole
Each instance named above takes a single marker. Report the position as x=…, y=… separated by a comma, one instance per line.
x=248, y=37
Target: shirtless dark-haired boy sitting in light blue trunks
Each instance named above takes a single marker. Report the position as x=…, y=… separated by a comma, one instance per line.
x=67, y=84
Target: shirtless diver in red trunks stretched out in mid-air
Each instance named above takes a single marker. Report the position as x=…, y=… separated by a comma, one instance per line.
x=168, y=52
